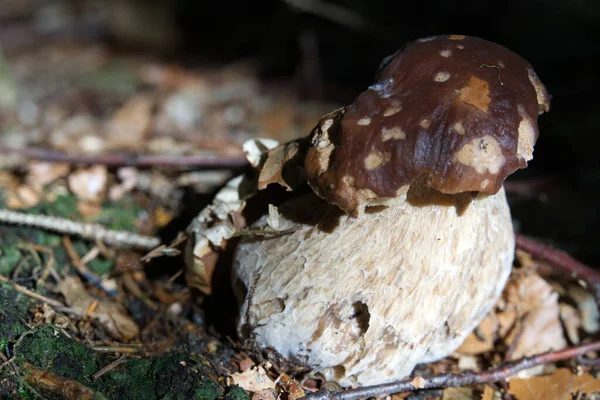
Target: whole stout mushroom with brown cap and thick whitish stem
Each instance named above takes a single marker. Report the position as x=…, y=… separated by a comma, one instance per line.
x=404, y=241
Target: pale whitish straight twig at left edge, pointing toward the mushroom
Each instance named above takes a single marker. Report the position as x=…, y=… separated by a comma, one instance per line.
x=87, y=231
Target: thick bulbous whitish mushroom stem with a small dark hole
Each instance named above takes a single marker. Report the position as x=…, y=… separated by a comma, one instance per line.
x=366, y=299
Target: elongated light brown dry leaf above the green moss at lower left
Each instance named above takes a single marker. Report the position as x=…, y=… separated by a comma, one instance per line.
x=109, y=314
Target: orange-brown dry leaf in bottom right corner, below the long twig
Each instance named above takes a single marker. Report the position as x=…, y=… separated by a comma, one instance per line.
x=561, y=385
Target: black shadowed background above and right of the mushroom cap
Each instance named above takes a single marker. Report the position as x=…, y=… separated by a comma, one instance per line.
x=329, y=50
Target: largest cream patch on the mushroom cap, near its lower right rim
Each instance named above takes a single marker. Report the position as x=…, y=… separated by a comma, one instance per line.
x=483, y=154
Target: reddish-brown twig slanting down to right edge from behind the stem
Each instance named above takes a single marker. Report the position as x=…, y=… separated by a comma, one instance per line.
x=563, y=261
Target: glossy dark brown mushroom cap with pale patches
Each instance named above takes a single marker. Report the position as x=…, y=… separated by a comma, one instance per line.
x=460, y=109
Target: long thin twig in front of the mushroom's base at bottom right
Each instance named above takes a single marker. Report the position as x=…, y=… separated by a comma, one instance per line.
x=438, y=381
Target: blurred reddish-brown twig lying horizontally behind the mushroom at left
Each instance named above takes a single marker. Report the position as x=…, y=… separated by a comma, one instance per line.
x=119, y=160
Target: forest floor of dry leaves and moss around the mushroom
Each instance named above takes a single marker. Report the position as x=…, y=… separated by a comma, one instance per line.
x=97, y=136
